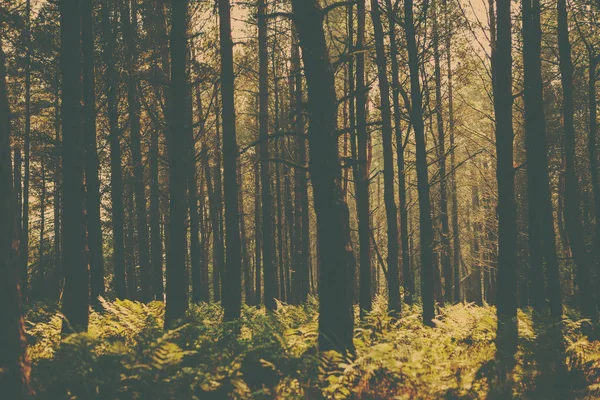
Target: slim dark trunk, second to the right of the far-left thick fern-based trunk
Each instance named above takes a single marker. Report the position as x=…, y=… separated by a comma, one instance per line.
x=116, y=175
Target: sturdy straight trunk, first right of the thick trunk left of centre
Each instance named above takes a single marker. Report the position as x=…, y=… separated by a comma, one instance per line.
x=232, y=281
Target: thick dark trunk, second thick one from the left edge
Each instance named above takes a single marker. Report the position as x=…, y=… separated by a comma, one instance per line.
x=76, y=294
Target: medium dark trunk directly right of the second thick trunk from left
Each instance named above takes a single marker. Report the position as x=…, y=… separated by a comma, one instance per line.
x=92, y=200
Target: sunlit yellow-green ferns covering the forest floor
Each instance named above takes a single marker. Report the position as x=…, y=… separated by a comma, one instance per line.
x=128, y=355
